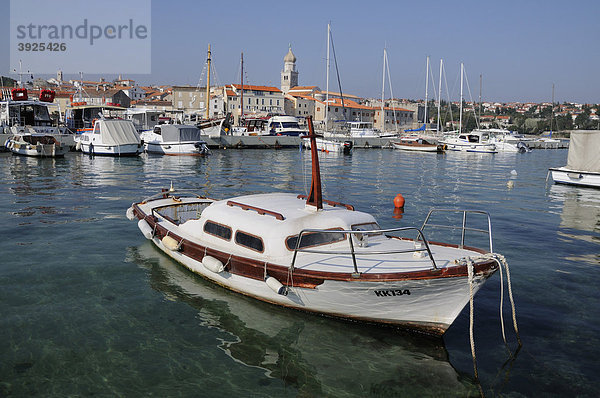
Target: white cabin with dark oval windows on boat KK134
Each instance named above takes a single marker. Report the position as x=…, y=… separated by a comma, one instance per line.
x=244, y=226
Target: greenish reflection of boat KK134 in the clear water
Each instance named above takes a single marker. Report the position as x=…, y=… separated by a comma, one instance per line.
x=317, y=356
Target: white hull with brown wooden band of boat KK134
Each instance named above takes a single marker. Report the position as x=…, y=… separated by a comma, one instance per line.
x=426, y=299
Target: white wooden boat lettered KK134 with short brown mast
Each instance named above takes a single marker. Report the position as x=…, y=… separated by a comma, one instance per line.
x=319, y=256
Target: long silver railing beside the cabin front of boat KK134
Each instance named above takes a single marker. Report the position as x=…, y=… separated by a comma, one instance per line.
x=361, y=236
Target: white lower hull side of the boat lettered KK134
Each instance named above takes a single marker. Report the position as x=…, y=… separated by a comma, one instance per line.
x=429, y=305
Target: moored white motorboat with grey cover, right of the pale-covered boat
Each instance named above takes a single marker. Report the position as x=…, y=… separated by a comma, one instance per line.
x=174, y=139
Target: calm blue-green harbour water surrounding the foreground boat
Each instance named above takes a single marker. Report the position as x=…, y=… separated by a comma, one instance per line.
x=89, y=307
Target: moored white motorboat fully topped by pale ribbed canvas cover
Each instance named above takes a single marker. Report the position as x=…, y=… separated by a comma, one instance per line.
x=113, y=137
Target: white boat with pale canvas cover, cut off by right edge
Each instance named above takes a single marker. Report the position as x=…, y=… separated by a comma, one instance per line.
x=583, y=161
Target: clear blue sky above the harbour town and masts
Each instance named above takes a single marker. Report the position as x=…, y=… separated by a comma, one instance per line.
x=520, y=47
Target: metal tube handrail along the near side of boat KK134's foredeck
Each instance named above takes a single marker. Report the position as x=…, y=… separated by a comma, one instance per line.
x=352, y=251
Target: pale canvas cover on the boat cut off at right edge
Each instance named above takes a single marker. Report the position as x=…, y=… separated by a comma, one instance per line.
x=583, y=151
